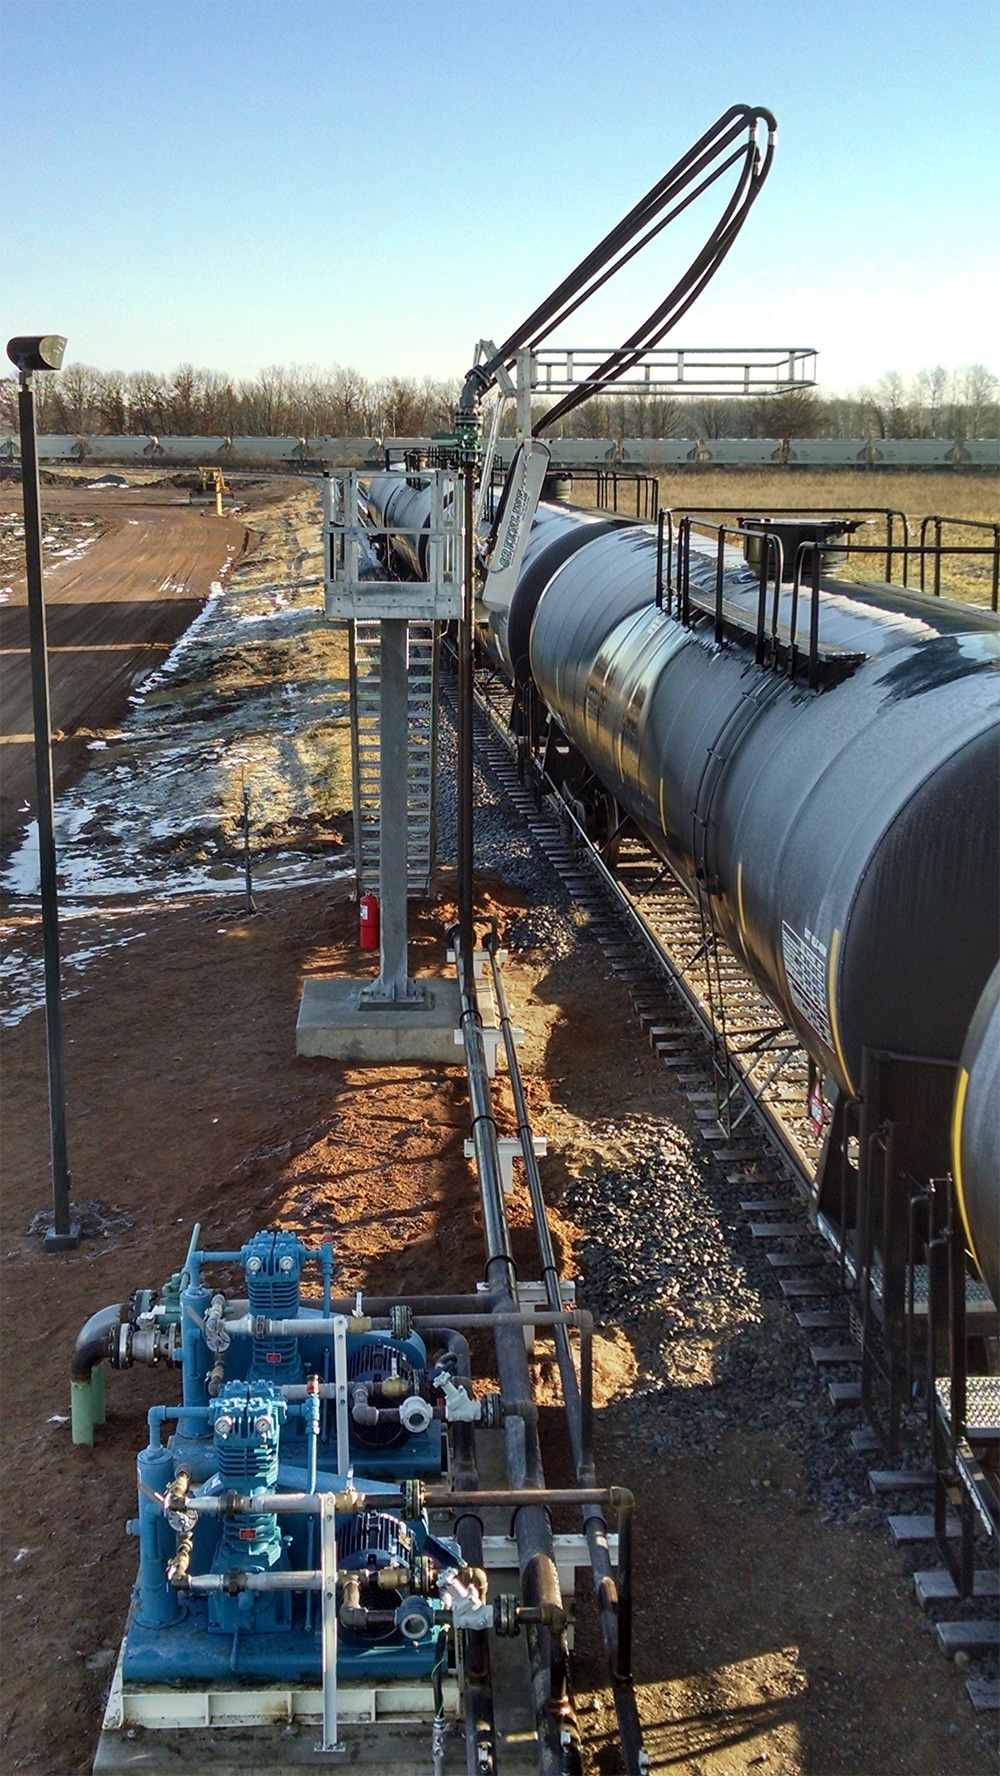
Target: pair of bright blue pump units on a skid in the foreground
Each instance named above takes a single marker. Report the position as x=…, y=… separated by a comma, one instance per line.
x=257, y=1438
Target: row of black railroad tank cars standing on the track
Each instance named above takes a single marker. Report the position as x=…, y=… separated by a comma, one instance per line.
x=816, y=761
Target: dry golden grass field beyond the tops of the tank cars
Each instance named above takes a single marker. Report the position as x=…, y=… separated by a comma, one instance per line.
x=761, y=491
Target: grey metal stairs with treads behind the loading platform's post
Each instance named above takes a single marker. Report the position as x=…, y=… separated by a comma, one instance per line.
x=422, y=754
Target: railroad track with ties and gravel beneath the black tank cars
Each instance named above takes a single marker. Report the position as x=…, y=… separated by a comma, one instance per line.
x=750, y=1084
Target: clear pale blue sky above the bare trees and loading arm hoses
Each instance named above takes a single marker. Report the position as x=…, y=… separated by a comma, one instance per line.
x=239, y=184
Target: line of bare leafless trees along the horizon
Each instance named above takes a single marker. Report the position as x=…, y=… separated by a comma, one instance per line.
x=340, y=402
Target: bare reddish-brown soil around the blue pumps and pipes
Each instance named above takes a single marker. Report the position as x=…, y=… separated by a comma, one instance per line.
x=772, y=1637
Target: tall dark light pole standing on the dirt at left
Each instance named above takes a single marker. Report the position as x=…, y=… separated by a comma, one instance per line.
x=33, y=354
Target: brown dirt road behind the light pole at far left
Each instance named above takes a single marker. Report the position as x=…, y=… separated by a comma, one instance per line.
x=115, y=610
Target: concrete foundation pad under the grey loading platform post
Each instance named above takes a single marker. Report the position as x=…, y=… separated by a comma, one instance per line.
x=335, y=1024
